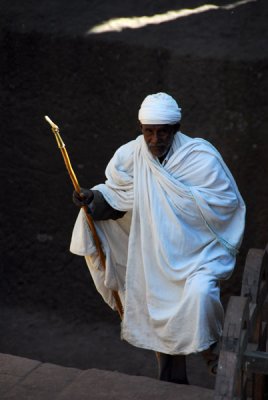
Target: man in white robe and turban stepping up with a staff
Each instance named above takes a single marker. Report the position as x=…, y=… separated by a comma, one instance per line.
x=171, y=220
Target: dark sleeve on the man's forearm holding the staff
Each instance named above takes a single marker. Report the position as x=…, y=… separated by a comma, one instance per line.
x=101, y=210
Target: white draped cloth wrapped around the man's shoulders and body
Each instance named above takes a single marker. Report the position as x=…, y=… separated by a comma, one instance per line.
x=187, y=218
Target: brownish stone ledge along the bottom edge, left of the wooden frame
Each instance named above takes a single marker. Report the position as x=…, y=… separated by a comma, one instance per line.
x=24, y=379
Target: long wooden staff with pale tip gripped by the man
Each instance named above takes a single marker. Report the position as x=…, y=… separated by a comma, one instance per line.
x=61, y=145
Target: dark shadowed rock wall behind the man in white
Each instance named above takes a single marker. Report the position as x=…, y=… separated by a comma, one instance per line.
x=92, y=90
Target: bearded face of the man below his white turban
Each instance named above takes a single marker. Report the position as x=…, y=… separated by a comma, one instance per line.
x=159, y=138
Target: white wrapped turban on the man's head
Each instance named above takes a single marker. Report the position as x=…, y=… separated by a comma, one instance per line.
x=158, y=109
